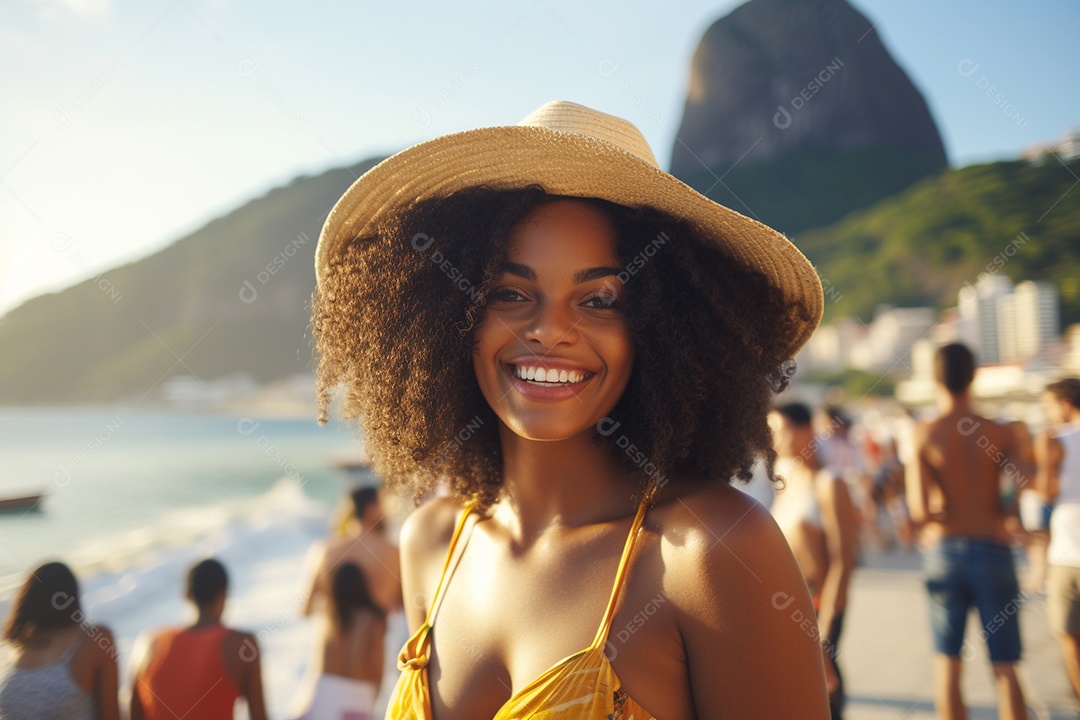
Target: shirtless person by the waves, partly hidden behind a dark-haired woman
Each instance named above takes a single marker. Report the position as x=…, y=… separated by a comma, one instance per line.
x=366, y=544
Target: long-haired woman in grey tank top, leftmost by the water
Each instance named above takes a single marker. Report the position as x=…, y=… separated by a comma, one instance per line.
x=62, y=665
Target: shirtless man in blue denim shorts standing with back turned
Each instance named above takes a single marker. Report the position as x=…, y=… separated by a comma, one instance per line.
x=954, y=495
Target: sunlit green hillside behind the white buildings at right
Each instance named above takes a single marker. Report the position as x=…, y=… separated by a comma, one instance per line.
x=921, y=247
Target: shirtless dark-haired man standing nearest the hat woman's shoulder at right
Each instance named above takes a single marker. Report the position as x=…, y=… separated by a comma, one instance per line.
x=816, y=513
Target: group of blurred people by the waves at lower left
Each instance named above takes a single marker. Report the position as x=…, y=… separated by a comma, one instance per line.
x=64, y=667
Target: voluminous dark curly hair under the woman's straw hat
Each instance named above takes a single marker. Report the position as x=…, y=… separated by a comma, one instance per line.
x=396, y=314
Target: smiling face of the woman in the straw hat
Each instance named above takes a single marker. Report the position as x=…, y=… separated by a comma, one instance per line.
x=555, y=354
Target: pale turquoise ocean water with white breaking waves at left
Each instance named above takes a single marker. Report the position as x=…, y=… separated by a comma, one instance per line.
x=133, y=498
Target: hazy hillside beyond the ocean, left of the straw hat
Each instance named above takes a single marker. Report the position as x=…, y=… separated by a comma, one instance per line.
x=232, y=297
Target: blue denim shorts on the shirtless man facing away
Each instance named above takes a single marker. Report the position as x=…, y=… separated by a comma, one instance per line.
x=966, y=573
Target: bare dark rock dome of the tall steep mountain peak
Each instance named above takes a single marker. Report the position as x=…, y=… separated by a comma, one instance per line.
x=779, y=78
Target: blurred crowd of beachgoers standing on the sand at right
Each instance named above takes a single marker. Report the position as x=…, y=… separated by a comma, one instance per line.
x=968, y=492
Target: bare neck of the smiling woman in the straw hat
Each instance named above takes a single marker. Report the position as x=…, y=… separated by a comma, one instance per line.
x=570, y=483
